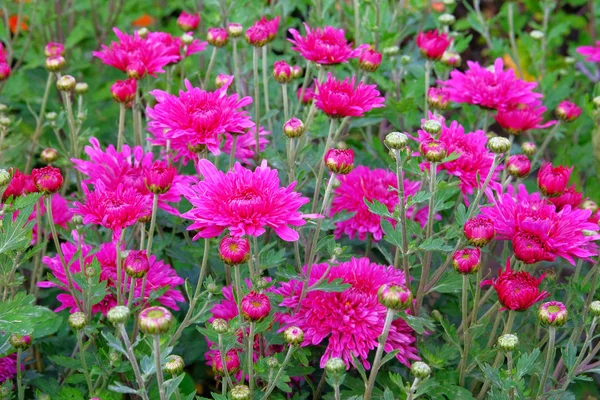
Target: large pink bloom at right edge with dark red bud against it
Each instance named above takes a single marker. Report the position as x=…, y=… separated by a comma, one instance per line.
x=538, y=232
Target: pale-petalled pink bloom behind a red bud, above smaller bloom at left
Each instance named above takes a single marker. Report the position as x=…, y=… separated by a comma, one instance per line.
x=126, y=167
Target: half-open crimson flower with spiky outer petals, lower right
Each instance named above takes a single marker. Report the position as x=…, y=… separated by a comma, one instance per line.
x=516, y=291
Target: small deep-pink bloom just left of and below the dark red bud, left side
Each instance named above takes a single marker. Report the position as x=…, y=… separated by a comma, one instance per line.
x=115, y=208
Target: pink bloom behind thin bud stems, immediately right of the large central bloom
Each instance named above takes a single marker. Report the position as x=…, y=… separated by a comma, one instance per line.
x=363, y=183
